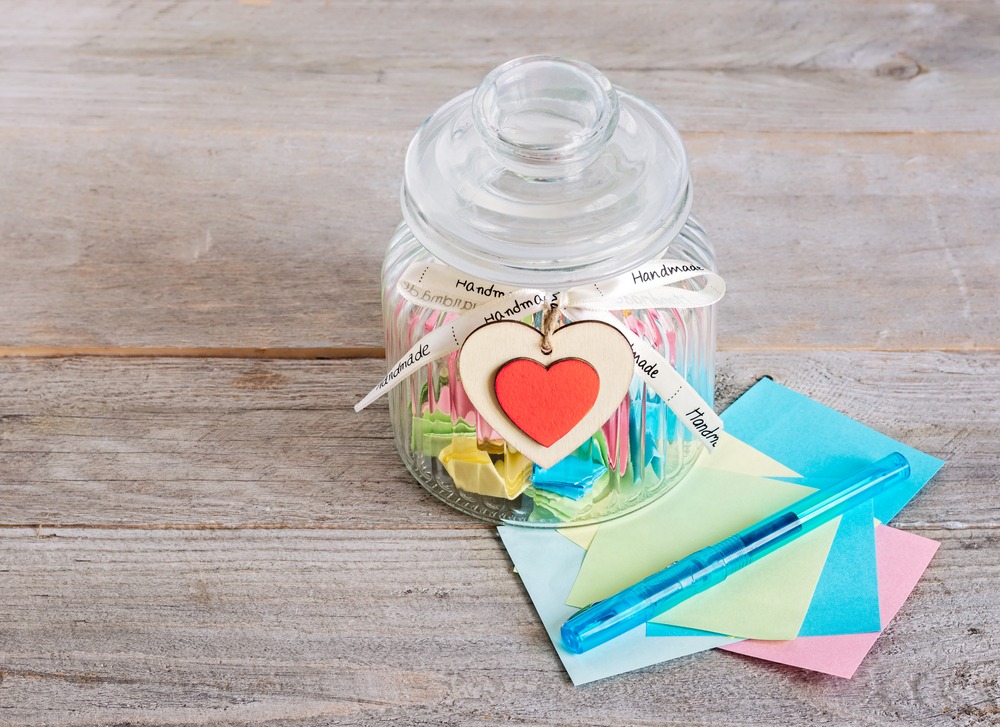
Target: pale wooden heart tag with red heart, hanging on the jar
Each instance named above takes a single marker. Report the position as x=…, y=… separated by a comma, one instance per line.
x=546, y=405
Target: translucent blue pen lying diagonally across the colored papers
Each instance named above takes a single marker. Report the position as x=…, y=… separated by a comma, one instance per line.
x=705, y=568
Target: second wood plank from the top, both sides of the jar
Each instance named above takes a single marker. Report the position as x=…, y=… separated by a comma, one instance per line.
x=274, y=239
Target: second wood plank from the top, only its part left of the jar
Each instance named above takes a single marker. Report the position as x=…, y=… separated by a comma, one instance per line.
x=141, y=239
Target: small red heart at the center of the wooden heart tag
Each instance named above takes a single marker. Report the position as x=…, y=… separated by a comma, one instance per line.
x=546, y=403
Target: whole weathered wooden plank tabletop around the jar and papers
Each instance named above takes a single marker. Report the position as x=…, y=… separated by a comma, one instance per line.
x=196, y=528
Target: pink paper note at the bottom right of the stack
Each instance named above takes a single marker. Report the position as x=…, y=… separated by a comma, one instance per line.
x=902, y=558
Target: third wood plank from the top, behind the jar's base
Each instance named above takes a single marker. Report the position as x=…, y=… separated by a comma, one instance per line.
x=178, y=442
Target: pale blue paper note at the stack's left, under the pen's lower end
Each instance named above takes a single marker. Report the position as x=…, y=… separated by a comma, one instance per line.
x=548, y=581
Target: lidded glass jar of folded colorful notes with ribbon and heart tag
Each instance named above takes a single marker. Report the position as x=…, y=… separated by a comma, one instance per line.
x=549, y=302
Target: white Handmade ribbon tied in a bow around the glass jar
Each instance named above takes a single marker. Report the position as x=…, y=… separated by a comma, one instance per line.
x=653, y=285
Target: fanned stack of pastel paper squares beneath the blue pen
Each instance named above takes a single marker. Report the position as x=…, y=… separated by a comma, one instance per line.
x=819, y=603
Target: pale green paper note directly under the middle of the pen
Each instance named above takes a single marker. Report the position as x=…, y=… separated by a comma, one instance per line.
x=765, y=600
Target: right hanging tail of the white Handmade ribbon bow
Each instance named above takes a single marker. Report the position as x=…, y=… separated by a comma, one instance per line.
x=692, y=410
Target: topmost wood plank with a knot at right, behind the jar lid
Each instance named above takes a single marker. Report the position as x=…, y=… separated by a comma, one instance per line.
x=854, y=66
